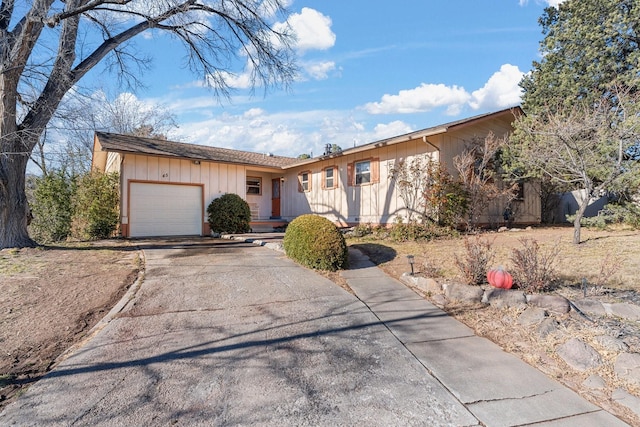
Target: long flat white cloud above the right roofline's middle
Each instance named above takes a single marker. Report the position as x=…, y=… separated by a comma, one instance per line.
x=423, y=98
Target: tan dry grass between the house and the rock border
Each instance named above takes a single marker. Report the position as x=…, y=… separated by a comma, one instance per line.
x=605, y=258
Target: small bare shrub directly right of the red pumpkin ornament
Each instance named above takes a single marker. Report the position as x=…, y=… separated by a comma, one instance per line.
x=533, y=268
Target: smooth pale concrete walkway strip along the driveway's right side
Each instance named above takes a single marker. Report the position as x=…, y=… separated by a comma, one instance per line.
x=498, y=388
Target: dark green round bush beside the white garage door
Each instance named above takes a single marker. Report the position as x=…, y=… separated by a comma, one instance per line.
x=229, y=213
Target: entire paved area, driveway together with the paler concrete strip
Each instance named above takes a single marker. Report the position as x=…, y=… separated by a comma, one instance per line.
x=224, y=332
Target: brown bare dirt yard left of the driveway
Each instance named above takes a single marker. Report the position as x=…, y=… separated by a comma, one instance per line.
x=50, y=297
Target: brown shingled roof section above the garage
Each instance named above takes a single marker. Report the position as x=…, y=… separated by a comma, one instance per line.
x=157, y=147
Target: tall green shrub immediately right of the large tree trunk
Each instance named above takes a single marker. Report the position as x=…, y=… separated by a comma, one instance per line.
x=52, y=207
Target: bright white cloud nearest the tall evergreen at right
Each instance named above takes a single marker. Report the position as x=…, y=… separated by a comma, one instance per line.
x=500, y=91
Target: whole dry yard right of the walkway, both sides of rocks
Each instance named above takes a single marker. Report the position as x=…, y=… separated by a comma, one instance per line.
x=608, y=260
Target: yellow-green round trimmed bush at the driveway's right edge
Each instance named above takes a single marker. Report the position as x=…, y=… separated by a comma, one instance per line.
x=315, y=242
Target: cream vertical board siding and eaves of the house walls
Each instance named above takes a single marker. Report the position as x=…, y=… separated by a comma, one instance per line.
x=377, y=202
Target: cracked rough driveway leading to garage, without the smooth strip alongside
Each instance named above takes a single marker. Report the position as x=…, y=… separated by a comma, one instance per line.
x=223, y=332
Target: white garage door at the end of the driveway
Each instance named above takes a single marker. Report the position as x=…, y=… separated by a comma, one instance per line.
x=164, y=210
